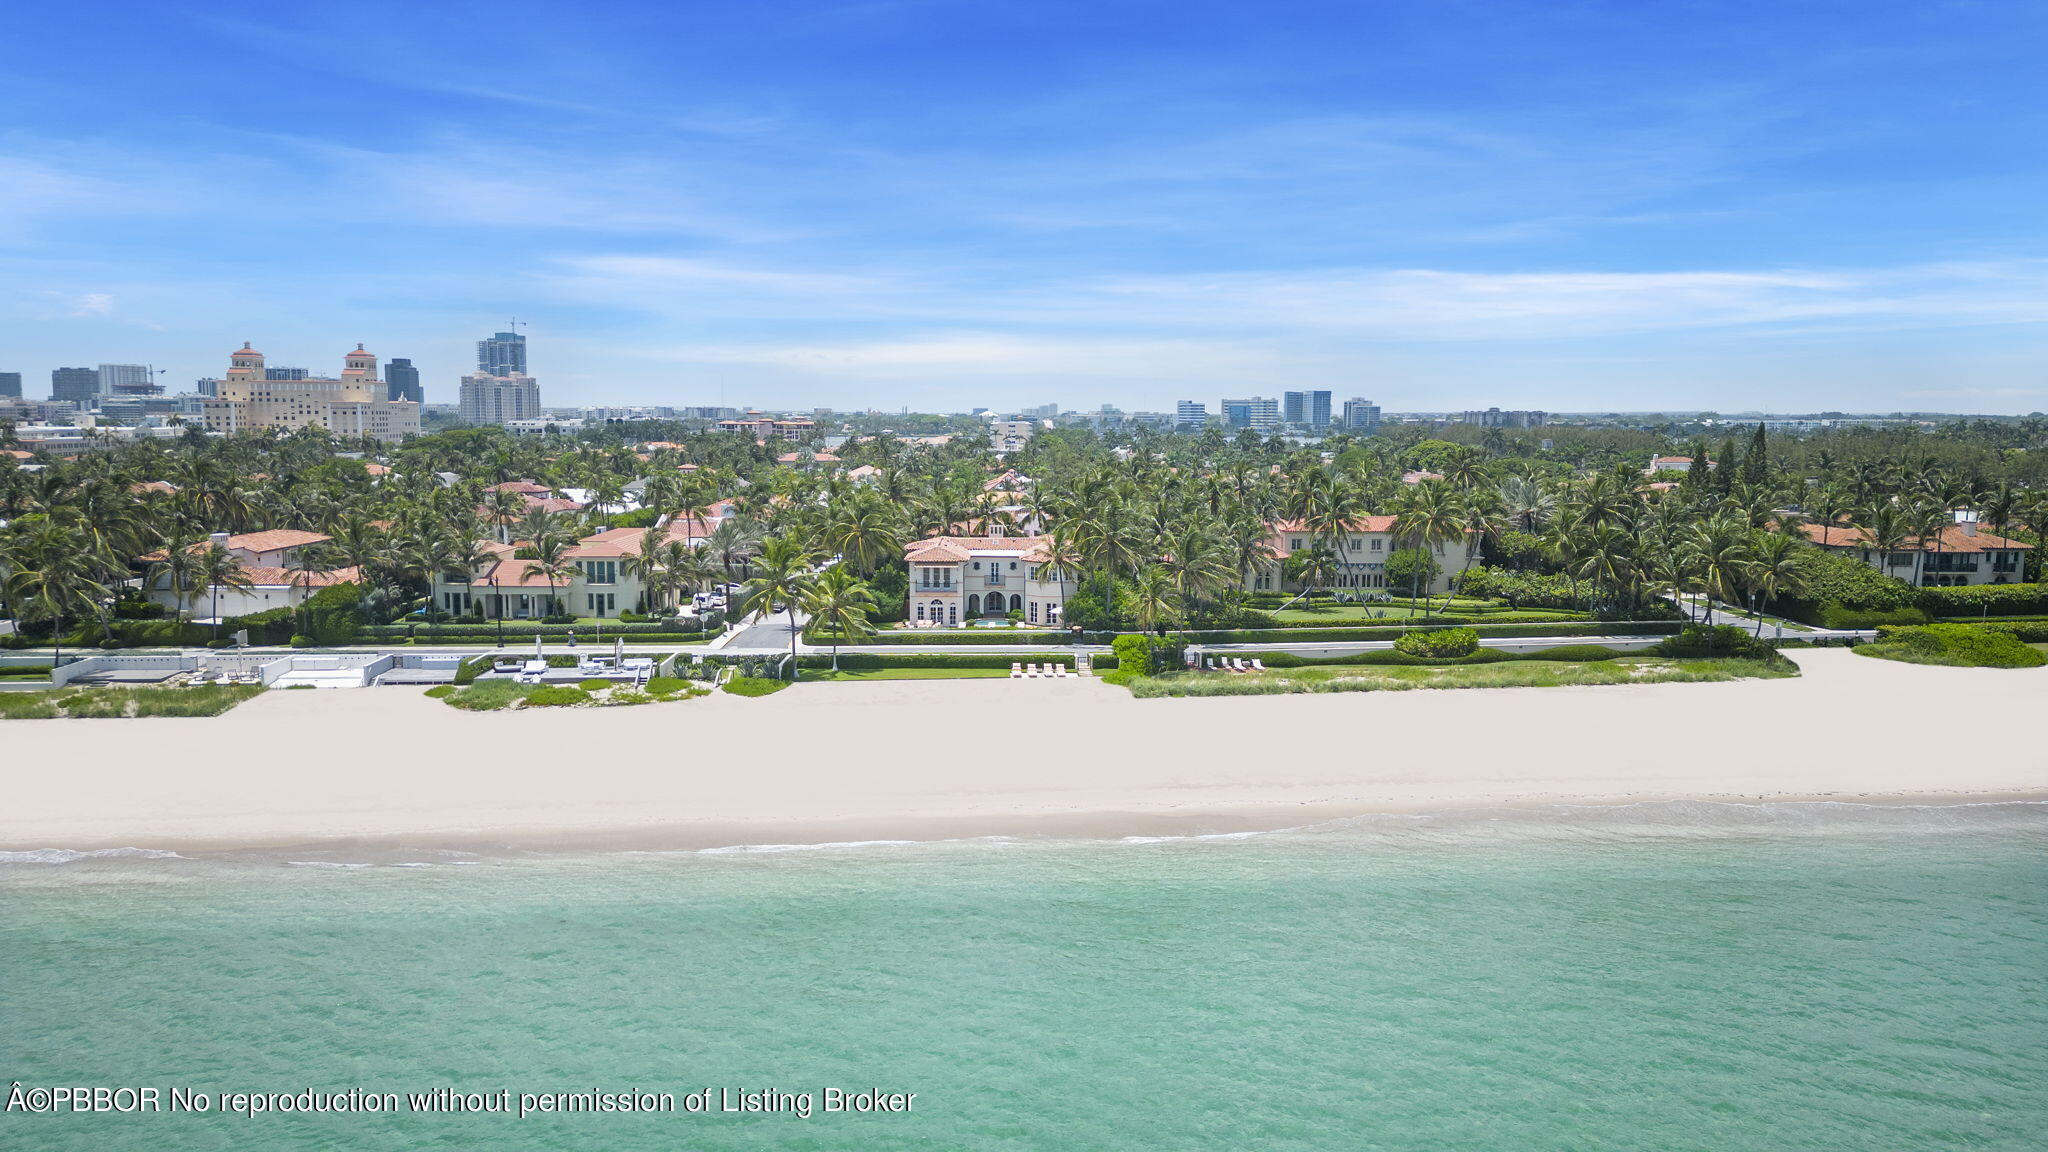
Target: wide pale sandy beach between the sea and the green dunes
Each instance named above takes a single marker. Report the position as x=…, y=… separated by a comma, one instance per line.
x=933, y=759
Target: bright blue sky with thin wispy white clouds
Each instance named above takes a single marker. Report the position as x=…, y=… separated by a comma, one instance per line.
x=1437, y=204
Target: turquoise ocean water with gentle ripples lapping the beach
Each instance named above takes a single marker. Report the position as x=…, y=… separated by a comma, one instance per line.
x=1652, y=977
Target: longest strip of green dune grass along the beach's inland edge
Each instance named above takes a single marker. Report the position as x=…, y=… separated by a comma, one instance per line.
x=1510, y=675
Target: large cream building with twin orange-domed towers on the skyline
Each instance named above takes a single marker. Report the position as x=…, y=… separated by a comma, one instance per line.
x=351, y=405
